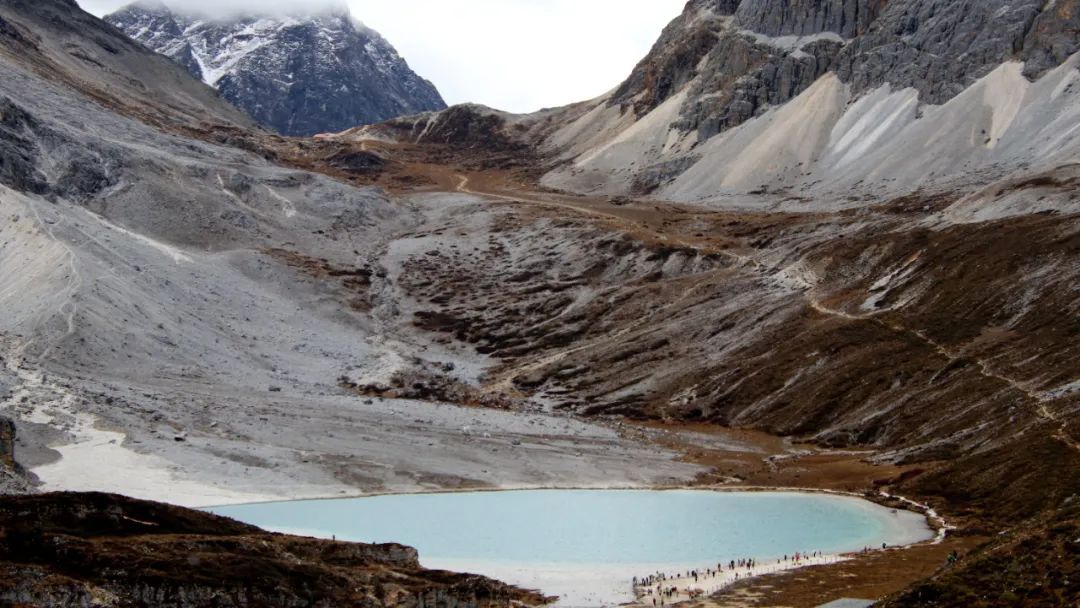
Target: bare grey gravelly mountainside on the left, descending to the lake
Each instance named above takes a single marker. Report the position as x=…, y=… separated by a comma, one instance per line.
x=166, y=309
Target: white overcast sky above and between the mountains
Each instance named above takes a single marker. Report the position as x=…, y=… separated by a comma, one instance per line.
x=518, y=56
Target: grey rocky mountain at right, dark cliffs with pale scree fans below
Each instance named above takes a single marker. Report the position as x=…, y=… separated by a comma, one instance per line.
x=779, y=94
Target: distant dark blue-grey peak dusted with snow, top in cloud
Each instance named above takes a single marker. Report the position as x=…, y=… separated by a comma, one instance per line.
x=303, y=75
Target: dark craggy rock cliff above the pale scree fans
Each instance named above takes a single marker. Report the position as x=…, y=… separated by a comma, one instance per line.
x=750, y=52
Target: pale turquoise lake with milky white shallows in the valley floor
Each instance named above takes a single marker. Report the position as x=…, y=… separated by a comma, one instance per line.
x=587, y=546
